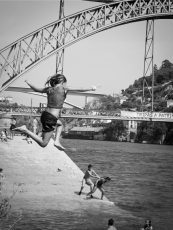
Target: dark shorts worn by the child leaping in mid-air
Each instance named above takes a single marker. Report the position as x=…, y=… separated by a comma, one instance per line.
x=48, y=121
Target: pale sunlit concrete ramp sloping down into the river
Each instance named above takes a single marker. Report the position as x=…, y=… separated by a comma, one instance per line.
x=42, y=178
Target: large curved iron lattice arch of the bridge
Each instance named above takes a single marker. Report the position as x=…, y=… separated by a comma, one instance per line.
x=24, y=54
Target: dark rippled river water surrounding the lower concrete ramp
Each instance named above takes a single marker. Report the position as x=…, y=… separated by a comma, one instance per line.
x=141, y=187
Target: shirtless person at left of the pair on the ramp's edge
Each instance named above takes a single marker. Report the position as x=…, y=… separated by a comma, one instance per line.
x=86, y=179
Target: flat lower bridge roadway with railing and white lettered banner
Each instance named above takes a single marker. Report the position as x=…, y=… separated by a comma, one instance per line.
x=93, y=114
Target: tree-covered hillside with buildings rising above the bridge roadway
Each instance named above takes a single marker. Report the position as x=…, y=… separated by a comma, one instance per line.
x=163, y=90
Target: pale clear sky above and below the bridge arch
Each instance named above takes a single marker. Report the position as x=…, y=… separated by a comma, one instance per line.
x=113, y=58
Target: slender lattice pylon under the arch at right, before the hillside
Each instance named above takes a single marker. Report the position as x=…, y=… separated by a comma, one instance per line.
x=149, y=61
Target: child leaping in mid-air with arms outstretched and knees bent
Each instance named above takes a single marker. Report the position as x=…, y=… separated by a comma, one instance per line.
x=56, y=95
